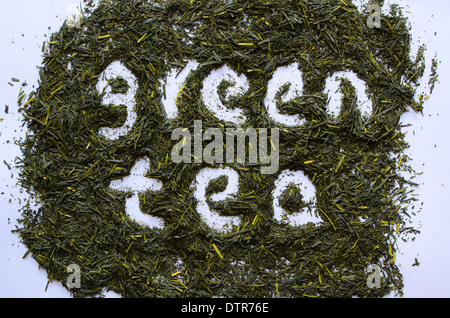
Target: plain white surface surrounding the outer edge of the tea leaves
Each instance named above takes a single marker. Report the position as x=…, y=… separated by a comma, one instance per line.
x=25, y=24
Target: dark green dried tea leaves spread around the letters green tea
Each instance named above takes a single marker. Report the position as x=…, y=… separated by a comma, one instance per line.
x=355, y=164
